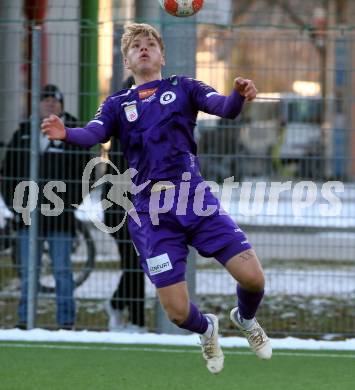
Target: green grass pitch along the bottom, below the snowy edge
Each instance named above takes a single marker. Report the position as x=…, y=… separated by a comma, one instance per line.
x=50, y=366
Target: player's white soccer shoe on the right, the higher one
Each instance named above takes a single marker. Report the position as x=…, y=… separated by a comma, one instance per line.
x=256, y=336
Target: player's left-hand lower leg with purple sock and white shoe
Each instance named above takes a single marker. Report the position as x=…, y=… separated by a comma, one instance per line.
x=183, y=313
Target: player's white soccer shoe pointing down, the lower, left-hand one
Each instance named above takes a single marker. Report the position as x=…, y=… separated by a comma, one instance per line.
x=211, y=349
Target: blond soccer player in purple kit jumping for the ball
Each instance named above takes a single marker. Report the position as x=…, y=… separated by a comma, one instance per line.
x=155, y=122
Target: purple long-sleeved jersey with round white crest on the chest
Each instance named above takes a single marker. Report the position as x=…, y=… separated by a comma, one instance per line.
x=155, y=123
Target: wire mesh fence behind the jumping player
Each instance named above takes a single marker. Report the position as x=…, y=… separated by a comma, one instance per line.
x=296, y=140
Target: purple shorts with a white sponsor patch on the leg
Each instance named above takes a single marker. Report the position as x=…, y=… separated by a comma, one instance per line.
x=163, y=247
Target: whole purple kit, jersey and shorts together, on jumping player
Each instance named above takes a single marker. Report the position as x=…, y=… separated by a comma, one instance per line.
x=155, y=124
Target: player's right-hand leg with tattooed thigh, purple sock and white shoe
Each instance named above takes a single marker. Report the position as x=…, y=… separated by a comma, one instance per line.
x=246, y=270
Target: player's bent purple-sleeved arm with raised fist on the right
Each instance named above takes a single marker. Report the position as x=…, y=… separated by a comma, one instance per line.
x=209, y=100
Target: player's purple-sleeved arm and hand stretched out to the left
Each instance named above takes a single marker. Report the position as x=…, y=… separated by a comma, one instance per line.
x=98, y=130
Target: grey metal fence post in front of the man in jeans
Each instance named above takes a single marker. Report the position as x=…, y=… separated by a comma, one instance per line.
x=34, y=153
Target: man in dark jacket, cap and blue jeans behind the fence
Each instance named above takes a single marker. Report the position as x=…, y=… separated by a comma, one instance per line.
x=60, y=162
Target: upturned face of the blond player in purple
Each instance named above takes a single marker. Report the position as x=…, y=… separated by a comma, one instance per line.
x=144, y=56
